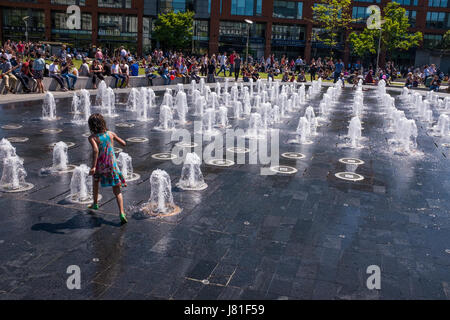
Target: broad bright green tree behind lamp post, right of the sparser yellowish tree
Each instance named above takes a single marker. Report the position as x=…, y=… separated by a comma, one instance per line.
x=394, y=34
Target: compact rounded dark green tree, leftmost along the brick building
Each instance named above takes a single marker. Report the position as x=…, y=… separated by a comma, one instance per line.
x=174, y=30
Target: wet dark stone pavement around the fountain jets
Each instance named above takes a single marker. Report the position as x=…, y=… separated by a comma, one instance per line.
x=302, y=236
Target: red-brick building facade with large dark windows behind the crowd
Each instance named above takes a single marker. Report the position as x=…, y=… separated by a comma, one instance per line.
x=279, y=27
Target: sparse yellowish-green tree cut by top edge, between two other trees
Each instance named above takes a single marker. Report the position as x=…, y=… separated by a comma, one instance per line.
x=335, y=17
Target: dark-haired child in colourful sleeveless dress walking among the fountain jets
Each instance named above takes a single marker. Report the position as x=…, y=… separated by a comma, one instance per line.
x=104, y=166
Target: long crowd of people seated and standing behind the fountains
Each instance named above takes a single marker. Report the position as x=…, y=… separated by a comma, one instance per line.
x=30, y=62
